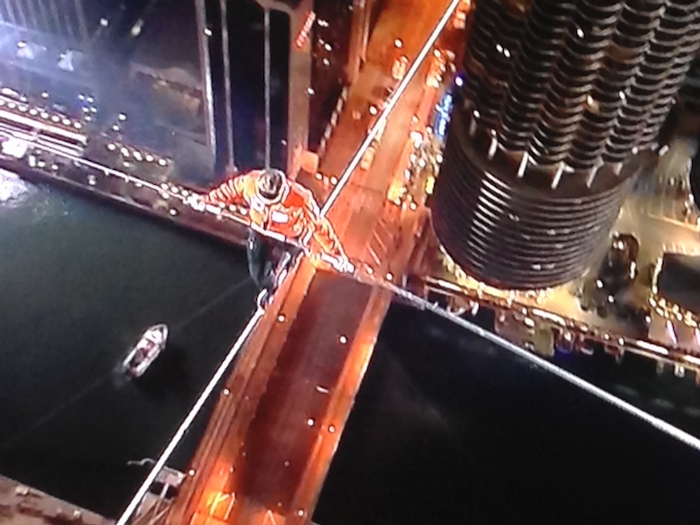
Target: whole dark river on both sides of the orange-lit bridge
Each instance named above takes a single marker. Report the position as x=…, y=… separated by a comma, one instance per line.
x=446, y=429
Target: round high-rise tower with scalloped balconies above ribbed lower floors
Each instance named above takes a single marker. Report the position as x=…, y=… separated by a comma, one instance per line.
x=562, y=104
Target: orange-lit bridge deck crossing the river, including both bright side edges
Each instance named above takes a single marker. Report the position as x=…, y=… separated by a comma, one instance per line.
x=273, y=454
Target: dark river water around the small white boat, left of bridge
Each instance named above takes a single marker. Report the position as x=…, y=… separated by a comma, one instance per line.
x=79, y=281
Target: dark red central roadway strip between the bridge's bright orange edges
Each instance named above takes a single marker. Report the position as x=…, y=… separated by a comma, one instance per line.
x=278, y=443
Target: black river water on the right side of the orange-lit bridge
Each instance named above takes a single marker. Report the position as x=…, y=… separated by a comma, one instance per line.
x=450, y=429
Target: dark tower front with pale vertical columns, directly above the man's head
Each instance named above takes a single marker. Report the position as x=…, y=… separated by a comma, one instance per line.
x=232, y=37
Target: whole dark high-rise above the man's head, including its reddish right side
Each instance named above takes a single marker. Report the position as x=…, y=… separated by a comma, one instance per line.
x=316, y=48
